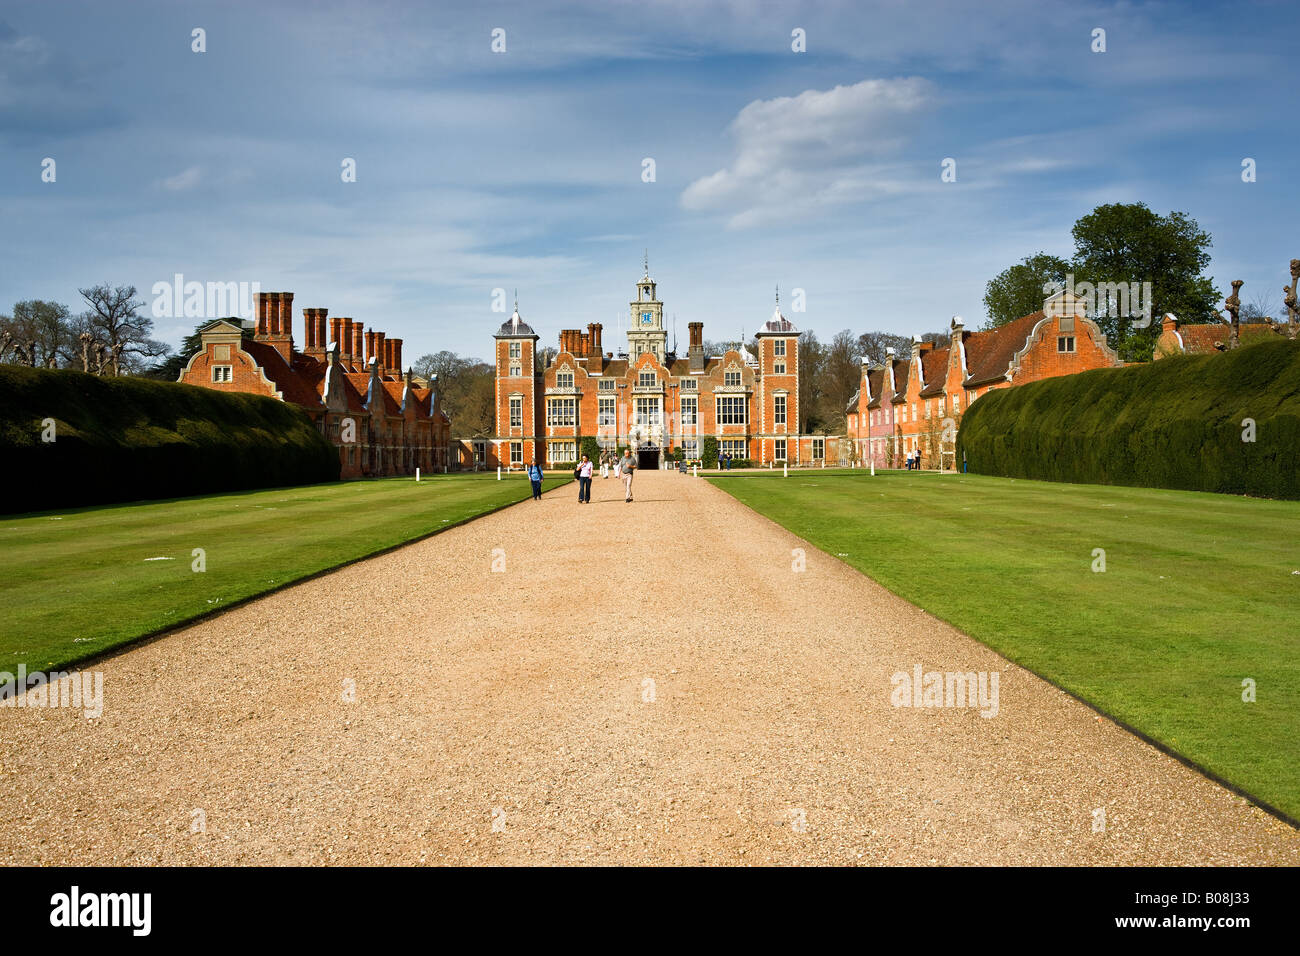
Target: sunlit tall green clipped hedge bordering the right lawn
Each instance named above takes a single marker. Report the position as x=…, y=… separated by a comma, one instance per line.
x=1175, y=423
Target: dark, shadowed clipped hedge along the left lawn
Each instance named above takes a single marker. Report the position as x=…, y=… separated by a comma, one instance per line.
x=129, y=439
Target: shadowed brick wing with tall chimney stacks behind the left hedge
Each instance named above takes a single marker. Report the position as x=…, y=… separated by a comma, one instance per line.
x=348, y=380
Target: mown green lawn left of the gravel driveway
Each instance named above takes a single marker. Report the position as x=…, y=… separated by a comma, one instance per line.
x=76, y=583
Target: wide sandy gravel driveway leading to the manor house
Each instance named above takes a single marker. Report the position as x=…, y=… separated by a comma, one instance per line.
x=645, y=684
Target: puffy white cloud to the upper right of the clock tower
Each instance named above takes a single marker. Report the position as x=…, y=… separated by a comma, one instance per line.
x=822, y=148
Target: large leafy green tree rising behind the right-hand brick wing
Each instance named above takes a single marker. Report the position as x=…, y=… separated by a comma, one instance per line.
x=1128, y=243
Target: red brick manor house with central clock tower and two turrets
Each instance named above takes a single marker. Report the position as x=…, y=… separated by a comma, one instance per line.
x=648, y=397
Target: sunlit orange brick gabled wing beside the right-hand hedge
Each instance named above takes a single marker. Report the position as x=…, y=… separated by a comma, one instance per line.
x=916, y=403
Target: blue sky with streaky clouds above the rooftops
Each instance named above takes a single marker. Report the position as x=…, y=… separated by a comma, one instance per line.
x=478, y=171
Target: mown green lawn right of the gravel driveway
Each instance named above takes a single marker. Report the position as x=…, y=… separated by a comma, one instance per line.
x=1201, y=591
